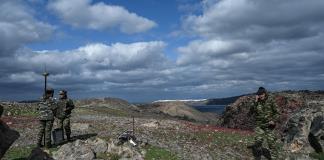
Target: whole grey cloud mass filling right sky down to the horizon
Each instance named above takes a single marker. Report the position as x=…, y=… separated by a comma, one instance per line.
x=241, y=43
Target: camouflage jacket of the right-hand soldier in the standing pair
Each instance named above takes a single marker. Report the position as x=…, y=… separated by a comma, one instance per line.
x=65, y=106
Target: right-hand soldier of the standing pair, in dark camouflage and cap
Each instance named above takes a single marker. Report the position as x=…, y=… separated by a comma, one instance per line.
x=65, y=107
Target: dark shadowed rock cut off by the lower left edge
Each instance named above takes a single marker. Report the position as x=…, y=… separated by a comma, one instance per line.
x=7, y=137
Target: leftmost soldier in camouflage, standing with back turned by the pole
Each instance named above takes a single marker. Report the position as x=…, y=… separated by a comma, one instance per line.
x=46, y=117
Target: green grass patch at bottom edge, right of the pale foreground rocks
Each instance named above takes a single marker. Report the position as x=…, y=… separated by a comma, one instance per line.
x=154, y=152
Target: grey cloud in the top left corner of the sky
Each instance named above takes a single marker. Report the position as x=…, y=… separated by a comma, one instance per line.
x=18, y=27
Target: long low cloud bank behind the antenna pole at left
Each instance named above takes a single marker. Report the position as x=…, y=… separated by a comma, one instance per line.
x=98, y=68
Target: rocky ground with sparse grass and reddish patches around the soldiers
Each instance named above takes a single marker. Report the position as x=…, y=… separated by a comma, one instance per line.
x=173, y=130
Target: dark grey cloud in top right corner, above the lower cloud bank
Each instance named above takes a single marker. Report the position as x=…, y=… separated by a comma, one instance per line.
x=258, y=20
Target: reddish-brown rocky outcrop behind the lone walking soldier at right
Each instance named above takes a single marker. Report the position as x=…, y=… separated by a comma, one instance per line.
x=300, y=126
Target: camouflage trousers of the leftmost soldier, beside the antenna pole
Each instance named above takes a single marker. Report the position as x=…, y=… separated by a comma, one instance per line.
x=45, y=129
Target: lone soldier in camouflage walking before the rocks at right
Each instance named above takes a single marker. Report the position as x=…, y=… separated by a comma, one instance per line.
x=266, y=113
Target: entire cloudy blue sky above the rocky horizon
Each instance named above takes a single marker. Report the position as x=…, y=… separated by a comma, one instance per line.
x=148, y=50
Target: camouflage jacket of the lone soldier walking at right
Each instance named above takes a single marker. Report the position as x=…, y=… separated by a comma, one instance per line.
x=265, y=111
